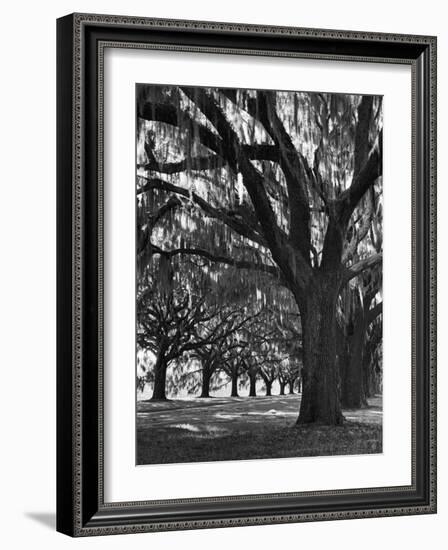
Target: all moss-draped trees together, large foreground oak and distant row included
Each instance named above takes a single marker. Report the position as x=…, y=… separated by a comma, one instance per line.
x=259, y=239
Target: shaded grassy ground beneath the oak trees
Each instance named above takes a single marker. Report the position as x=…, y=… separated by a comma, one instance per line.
x=232, y=428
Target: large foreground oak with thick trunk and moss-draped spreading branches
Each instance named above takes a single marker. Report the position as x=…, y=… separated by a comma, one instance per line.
x=285, y=176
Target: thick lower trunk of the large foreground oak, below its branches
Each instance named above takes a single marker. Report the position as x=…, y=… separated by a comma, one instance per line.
x=321, y=383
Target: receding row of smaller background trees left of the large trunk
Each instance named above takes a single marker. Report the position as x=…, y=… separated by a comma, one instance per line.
x=207, y=332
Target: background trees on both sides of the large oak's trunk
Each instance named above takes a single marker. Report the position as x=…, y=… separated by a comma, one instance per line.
x=205, y=344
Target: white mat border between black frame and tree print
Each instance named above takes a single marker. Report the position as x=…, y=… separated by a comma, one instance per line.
x=123, y=481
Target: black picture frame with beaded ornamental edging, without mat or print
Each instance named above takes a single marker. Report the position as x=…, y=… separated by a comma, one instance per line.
x=81, y=42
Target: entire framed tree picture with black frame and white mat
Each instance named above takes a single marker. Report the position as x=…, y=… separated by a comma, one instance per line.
x=246, y=274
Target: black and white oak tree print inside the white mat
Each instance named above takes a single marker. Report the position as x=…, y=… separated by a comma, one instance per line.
x=258, y=259
